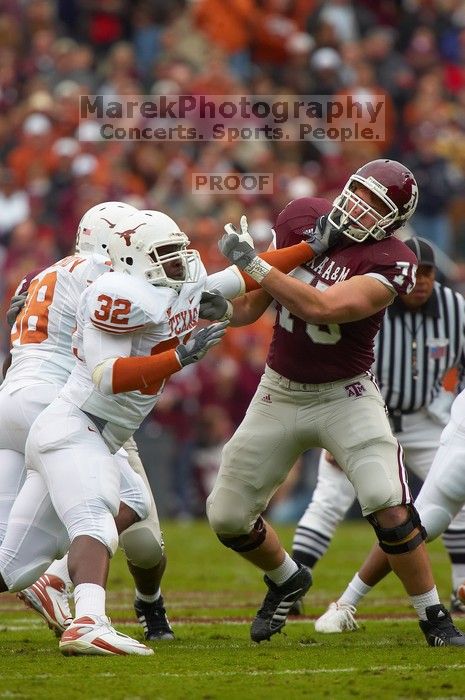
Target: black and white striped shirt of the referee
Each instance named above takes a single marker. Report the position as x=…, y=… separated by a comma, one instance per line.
x=413, y=350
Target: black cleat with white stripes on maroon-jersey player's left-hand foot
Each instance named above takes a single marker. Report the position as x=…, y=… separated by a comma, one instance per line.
x=272, y=616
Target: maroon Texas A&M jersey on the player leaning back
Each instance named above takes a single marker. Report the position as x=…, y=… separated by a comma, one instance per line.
x=314, y=354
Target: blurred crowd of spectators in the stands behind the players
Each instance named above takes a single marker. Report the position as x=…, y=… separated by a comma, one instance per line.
x=51, y=51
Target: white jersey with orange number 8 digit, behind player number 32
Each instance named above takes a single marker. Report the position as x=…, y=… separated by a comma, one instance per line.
x=41, y=335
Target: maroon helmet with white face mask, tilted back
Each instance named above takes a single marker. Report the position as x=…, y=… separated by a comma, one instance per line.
x=393, y=184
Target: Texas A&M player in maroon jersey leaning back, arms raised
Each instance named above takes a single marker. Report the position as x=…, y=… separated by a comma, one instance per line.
x=317, y=389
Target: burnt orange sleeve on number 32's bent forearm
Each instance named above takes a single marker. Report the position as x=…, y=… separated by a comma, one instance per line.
x=140, y=373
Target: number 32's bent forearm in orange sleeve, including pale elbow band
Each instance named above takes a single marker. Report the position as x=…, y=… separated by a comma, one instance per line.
x=123, y=374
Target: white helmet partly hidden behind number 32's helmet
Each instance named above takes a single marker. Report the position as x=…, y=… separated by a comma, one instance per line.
x=96, y=226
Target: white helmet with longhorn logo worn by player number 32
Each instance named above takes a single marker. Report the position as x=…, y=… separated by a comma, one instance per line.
x=136, y=248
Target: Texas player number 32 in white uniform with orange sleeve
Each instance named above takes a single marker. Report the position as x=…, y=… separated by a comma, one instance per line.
x=115, y=383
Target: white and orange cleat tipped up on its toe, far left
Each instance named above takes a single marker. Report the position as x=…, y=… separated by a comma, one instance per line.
x=48, y=596
